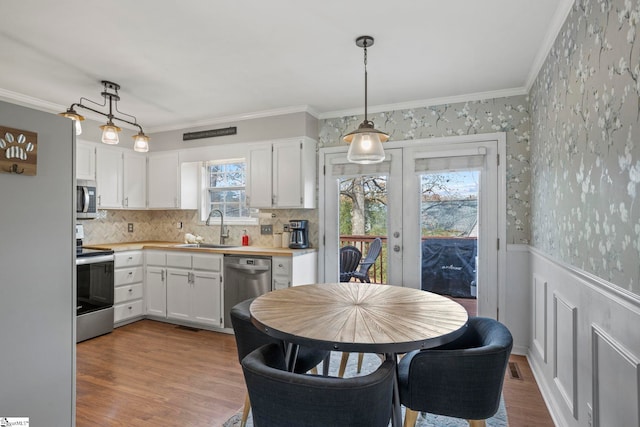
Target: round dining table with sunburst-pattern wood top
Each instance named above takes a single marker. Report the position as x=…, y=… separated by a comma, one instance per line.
x=359, y=317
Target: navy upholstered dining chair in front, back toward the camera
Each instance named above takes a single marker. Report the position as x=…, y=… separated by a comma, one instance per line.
x=281, y=398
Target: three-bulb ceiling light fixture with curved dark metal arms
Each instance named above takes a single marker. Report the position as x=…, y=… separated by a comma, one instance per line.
x=109, y=130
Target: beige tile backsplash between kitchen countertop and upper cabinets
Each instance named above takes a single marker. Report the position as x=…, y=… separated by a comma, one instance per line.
x=111, y=226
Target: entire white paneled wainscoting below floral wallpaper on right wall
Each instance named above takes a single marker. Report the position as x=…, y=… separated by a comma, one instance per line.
x=585, y=345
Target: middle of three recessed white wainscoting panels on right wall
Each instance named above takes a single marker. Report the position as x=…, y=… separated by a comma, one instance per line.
x=565, y=367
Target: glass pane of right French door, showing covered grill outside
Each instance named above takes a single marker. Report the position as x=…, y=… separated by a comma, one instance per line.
x=449, y=230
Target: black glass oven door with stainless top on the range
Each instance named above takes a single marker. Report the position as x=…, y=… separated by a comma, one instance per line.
x=95, y=281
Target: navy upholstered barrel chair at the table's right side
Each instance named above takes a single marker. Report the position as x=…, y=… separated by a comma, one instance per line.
x=461, y=379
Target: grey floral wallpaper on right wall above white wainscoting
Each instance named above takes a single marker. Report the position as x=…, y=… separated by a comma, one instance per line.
x=585, y=112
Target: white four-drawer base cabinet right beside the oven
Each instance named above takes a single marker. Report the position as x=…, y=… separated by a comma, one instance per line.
x=128, y=292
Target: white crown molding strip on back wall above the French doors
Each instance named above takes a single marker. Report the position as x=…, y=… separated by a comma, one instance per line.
x=502, y=93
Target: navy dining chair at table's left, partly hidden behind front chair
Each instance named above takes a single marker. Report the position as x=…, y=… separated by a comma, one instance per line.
x=248, y=338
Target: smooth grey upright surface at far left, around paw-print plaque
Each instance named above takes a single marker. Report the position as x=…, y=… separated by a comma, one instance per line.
x=37, y=276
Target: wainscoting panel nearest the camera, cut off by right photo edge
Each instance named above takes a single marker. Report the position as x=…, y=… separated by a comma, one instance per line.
x=614, y=368
